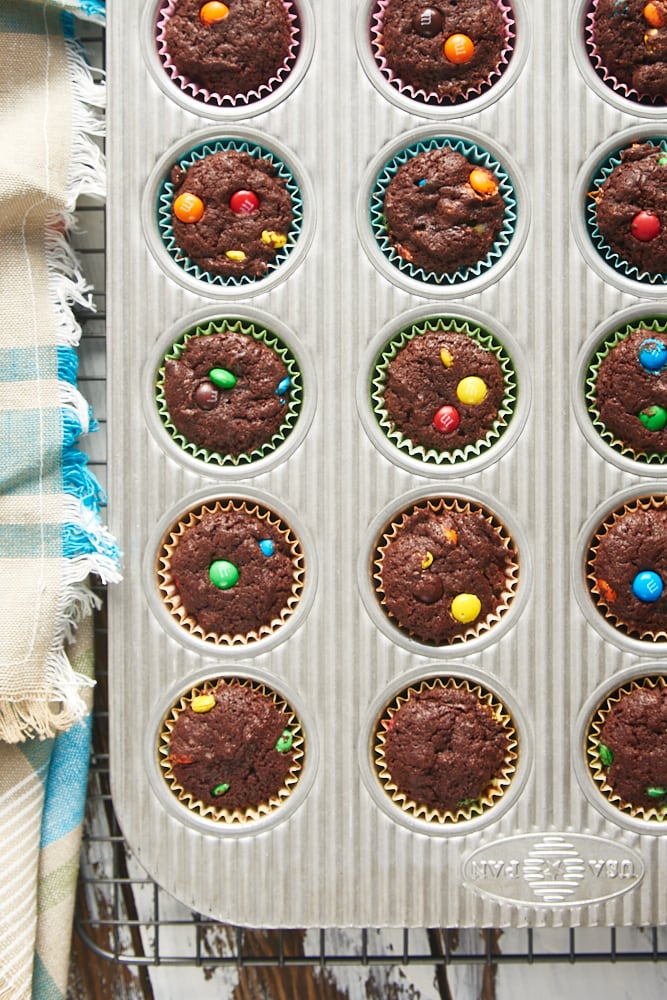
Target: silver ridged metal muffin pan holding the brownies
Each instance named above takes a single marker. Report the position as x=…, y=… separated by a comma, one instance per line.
x=550, y=849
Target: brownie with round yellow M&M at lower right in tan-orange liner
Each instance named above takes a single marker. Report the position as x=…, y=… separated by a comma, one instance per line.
x=444, y=572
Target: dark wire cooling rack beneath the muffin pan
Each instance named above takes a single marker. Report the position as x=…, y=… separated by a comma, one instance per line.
x=123, y=916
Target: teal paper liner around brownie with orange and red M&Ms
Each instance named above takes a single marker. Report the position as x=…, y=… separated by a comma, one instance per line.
x=165, y=198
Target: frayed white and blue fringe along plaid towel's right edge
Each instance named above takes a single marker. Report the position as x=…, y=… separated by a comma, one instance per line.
x=89, y=550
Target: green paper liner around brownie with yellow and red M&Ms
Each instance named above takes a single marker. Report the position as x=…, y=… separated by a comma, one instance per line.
x=466, y=452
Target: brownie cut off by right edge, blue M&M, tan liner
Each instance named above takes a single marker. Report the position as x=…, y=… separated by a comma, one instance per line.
x=627, y=569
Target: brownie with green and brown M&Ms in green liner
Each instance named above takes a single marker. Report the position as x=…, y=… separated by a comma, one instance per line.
x=226, y=392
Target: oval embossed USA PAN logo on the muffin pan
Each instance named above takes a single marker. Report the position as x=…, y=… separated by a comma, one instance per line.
x=553, y=869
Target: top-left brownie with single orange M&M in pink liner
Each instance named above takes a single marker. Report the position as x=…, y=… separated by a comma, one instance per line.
x=229, y=53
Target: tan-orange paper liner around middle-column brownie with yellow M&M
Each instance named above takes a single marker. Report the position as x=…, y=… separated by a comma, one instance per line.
x=437, y=506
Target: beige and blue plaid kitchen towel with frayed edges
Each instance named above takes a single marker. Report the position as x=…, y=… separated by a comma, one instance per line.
x=51, y=535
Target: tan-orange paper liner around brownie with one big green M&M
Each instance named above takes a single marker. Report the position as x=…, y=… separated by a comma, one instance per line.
x=168, y=591
